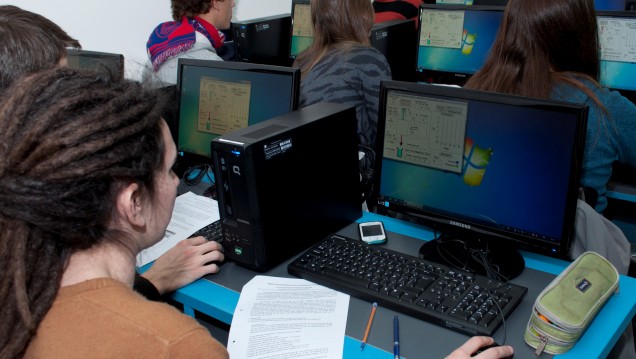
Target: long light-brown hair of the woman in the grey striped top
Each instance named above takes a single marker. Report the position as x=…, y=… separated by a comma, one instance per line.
x=337, y=23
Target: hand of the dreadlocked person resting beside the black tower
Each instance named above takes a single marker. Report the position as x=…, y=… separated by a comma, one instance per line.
x=187, y=261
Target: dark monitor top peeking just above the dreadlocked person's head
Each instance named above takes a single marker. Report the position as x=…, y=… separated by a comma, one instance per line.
x=101, y=61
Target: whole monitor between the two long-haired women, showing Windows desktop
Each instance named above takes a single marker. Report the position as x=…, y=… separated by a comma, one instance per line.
x=454, y=41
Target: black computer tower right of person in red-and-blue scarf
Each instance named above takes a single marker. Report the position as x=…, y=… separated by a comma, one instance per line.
x=264, y=40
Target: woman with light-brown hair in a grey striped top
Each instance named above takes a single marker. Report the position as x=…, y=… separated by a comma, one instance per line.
x=341, y=66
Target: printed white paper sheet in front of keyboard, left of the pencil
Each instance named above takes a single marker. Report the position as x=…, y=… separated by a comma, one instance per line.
x=278, y=318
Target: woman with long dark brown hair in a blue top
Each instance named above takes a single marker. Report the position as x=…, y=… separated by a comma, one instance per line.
x=550, y=49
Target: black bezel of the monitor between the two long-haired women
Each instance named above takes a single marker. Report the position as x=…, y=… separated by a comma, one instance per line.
x=445, y=77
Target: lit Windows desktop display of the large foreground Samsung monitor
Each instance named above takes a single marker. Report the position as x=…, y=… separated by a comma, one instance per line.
x=500, y=166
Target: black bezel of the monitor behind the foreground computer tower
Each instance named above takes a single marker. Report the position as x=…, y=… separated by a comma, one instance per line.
x=191, y=158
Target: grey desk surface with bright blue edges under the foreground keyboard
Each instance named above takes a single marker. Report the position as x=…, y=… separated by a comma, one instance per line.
x=217, y=296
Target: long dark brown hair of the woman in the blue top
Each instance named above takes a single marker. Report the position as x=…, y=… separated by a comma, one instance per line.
x=538, y=43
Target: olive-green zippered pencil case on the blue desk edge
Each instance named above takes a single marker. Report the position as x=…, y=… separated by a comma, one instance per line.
x=566, y=307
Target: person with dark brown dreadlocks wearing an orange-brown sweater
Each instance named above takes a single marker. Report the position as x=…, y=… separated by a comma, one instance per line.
x=85, y=185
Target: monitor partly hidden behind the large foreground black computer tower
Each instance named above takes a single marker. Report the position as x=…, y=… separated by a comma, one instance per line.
x=217, y=97
